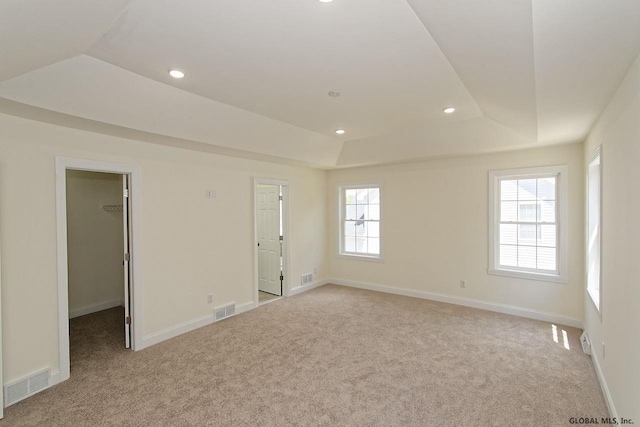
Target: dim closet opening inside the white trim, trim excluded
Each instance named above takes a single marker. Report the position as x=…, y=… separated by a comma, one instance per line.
x=98, y=242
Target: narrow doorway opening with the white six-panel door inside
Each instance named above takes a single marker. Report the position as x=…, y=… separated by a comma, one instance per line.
x=271, y=236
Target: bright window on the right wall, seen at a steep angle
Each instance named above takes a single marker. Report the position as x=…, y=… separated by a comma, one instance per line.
x=594, y=186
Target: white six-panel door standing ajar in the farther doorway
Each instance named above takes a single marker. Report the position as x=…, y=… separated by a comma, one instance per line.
x=269, y=244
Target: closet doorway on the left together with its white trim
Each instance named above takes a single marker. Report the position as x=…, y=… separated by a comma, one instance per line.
x=97, y=206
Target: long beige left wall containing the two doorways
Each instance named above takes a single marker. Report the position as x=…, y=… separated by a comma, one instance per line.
x=191, y=246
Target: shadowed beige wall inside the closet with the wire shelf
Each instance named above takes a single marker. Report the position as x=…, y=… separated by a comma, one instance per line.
x=94, y=241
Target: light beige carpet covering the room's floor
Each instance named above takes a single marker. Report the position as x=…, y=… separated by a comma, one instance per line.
x=331, y=356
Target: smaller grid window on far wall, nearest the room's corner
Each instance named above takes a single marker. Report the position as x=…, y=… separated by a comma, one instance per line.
x=360, y=221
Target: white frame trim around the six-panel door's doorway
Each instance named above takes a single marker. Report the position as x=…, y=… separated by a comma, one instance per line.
x=285, y=230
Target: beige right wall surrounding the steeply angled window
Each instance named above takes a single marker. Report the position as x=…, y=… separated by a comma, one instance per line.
x=618, y=131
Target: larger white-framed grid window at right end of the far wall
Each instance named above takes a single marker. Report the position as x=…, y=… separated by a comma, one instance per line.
x=527, y=214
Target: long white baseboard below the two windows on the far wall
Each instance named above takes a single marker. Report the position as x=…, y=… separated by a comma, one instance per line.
x=467, y=302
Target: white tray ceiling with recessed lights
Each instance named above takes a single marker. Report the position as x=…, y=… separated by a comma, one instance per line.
x=521, y=73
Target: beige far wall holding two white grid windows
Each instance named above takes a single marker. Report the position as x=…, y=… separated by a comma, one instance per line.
x=435, y=230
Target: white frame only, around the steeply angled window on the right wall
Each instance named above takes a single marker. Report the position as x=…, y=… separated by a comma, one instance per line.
x=597, y=298
